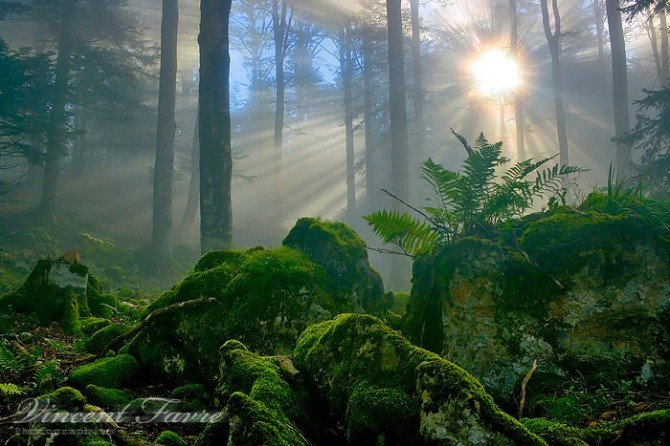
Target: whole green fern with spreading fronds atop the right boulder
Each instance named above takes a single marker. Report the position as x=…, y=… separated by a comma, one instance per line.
x=476, y=199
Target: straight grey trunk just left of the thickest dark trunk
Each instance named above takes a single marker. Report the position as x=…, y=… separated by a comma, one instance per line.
x=167, y=90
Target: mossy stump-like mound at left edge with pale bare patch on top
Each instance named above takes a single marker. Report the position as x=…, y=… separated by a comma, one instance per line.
x=56, y=291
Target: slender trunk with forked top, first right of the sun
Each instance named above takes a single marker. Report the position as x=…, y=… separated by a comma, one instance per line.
x=554, y=41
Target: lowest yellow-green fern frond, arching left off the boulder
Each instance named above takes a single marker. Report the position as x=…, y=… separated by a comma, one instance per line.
x=403, y=230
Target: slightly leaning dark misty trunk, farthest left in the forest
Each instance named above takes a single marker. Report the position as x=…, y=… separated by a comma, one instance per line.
x=56, y=133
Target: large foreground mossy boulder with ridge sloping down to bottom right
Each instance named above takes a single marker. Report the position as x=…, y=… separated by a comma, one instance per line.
x=387, y=391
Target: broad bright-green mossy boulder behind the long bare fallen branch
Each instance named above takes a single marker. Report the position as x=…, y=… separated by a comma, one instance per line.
x=264, y=298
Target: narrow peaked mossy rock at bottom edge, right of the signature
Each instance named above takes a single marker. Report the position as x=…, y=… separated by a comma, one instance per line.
x=260, y=407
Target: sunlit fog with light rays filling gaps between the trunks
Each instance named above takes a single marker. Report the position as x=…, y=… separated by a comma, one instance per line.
x=112, y=191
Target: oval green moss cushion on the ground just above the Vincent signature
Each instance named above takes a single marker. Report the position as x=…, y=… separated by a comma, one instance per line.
x=112, y=372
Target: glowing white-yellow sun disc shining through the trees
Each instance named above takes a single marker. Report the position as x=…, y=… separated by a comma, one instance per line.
x=495, y=73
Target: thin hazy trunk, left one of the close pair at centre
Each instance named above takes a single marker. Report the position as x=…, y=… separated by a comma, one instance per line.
x=346, y=72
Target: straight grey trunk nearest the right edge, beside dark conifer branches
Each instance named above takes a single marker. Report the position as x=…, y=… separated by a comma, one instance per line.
x=619, y=86
